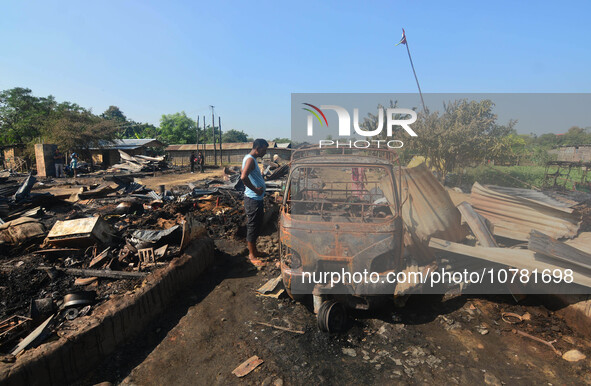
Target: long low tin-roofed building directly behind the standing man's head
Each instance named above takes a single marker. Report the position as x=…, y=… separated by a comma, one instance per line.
x=232, y=153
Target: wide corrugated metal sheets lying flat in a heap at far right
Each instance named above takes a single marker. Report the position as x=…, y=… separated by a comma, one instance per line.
x=514, y=213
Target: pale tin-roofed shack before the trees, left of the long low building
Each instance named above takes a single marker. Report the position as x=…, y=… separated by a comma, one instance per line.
x=107, y=153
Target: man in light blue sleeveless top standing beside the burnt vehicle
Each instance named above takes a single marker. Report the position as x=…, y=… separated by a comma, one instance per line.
x=254, y=193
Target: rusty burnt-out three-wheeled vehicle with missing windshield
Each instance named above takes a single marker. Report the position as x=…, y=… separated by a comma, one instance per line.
x=341, y=214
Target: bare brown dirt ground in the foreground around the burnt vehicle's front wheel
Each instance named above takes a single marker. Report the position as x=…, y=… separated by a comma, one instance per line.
x=212, y=328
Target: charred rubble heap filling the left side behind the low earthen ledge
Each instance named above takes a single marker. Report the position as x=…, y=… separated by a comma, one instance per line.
x=101, y=238
